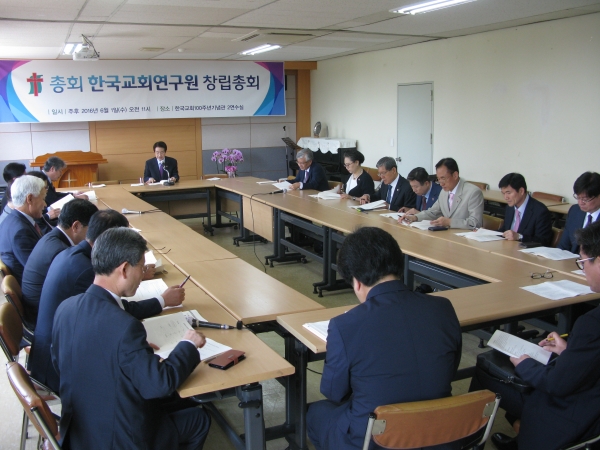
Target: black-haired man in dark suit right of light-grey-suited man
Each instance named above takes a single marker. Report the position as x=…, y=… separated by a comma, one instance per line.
x=525, y=218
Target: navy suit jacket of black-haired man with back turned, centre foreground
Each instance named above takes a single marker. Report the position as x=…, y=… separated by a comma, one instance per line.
x=398, y=346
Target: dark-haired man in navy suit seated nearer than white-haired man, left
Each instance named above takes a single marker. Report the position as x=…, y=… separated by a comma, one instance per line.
x=71, y=230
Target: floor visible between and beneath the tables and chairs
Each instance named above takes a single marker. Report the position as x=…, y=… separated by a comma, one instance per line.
x=298, y=276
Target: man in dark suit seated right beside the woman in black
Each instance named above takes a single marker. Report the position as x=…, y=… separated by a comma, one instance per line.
x=395, y=189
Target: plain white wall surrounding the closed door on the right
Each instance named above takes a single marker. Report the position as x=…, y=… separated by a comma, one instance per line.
x=523, y=99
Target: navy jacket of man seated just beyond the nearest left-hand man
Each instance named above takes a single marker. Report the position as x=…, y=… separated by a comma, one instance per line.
x=70, y=274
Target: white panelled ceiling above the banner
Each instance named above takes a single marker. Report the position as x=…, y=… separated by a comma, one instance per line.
x=309, y=30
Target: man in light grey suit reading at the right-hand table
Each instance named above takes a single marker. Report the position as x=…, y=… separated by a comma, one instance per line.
x=460, y=204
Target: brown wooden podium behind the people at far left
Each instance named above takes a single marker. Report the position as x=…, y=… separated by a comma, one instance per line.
x=82, y=167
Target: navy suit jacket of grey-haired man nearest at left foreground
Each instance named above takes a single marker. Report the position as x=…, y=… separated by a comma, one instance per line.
x=110, y=380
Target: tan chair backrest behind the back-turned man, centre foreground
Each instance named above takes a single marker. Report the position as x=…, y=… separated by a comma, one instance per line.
x=432, y=422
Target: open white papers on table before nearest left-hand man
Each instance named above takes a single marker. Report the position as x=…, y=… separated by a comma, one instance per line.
x=166, y=332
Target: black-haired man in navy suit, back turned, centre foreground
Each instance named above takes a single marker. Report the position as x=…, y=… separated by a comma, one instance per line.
x=396, y=346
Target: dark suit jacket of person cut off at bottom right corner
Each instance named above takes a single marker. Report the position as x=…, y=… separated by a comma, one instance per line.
x=566, y=392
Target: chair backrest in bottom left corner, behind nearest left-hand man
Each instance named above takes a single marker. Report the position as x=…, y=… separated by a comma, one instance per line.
x=36, y=408
